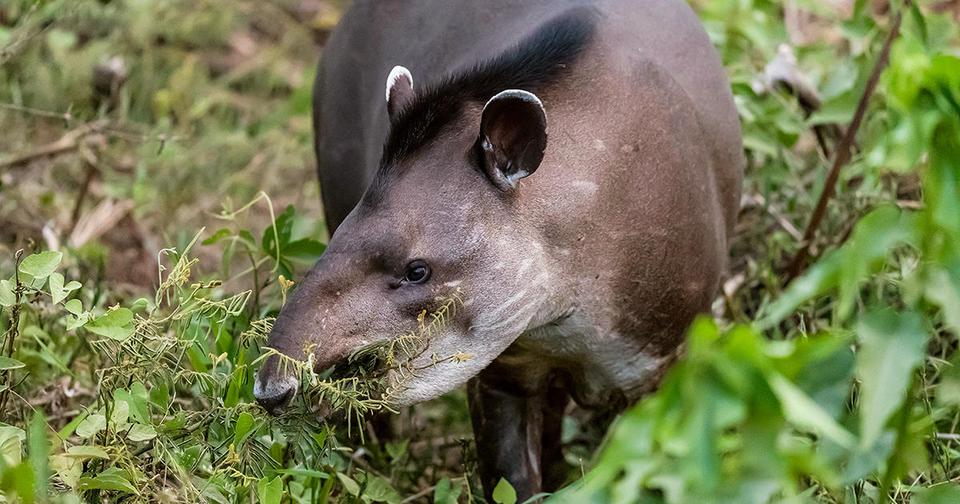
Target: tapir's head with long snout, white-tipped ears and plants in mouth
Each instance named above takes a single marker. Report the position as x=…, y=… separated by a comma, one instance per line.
x=440, y=225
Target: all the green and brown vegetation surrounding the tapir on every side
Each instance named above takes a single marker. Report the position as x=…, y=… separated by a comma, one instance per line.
x=160, y=153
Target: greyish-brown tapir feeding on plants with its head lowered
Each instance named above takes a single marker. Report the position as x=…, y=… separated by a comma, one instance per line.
x=570, y=170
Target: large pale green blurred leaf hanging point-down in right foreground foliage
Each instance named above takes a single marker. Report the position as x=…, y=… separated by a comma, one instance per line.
x=891, y=347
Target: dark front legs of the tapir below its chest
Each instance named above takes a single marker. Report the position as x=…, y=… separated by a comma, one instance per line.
x=509, y=427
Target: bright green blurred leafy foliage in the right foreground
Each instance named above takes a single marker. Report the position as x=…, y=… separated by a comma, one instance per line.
x=747, y=418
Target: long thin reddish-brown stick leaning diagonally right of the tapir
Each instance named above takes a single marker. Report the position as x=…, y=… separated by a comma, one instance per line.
x=842, y=152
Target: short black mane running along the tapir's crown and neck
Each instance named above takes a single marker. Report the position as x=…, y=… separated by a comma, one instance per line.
x=532, y=63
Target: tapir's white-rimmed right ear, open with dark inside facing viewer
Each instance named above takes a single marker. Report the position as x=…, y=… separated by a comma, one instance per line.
x=513, y=136
